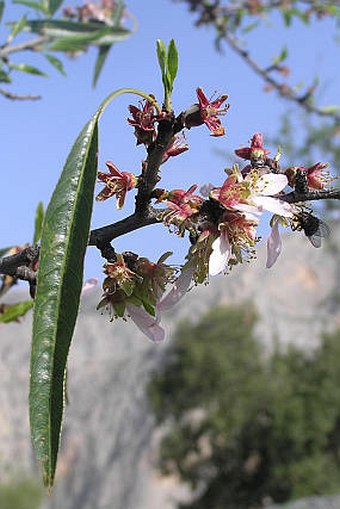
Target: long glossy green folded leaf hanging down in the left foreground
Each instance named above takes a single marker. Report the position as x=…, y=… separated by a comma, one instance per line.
x=63, y=245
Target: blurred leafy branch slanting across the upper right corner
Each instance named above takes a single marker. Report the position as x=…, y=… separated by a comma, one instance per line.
x=233, y=20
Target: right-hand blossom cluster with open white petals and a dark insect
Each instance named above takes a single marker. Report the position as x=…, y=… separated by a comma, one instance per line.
x=226, y=224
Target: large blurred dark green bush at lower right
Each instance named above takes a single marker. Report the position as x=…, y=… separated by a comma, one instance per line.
x=243, y=428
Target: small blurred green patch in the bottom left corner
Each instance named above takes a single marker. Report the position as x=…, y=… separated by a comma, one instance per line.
x=21, y=494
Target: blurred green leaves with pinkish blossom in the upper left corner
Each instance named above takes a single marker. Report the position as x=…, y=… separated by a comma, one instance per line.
x=99, y=24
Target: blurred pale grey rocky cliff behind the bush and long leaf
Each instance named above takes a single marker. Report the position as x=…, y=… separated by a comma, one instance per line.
x=109, y=440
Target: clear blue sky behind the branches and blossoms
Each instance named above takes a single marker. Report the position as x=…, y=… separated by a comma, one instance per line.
x=37, y=136
